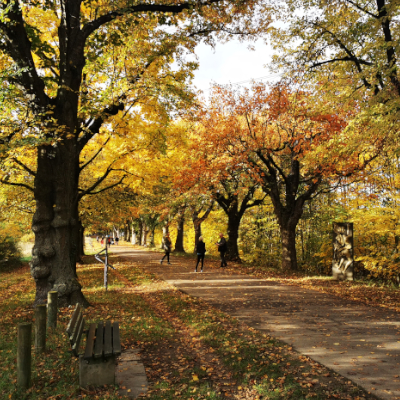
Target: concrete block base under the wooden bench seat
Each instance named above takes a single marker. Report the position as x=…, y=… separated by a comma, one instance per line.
x=96, y=372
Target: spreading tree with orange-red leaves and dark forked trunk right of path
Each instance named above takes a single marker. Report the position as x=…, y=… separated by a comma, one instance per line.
x=290, y=149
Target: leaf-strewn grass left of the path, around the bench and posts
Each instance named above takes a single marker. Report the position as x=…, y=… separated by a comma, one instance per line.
x=190, y=350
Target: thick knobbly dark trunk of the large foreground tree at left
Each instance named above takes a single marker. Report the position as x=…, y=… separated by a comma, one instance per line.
x=55, y=224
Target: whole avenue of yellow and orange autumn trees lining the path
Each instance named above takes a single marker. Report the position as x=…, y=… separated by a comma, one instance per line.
x=101, y=131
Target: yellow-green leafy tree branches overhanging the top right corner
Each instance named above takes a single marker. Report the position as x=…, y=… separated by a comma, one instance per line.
x=349, y=46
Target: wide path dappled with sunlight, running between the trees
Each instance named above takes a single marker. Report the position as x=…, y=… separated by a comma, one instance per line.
x=359, y=342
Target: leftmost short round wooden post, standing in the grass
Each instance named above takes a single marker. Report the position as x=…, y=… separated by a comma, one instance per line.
x=24, y=356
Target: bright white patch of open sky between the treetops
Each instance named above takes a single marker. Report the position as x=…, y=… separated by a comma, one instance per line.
x=232, y=62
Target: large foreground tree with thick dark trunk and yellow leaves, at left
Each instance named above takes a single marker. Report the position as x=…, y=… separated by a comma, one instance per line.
x=70, y=67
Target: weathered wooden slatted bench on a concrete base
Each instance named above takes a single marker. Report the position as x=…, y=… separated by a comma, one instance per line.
x=103, y=345
